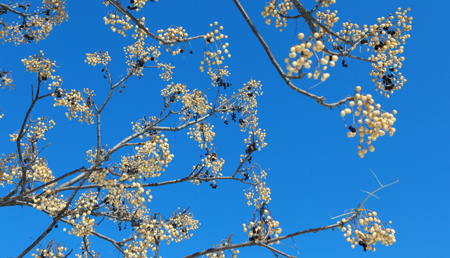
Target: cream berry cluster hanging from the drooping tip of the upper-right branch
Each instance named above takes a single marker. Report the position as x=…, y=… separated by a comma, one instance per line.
x=372, y=121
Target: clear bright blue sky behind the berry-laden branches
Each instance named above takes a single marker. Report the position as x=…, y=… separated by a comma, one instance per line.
x=314, y=168
